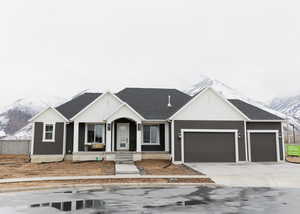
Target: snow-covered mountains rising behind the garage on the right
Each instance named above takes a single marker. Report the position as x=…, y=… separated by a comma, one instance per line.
x=280, y=107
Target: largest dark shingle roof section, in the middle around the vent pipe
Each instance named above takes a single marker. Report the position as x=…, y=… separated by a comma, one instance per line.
x=152, y=103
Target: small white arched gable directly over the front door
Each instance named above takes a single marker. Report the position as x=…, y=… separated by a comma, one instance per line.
x=124, y=112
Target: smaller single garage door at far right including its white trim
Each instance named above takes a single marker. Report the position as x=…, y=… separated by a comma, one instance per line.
x=263, y=145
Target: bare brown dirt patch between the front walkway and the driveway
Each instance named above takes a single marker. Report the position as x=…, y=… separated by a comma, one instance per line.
x=163, y=167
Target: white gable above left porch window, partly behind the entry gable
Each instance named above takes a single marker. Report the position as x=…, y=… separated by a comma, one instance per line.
x=98, y=111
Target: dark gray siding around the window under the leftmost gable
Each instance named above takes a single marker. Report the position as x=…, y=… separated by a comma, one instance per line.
x=48, y=148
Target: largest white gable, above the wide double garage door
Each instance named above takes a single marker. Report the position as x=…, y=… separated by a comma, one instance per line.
x=208, y=105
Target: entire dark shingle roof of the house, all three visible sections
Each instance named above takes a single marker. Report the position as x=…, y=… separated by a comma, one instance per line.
x=152, y=104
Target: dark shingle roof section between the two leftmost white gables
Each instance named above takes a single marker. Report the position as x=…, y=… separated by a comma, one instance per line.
x=72, y=107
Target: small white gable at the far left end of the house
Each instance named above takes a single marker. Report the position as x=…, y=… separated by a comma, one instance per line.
x=48, y=116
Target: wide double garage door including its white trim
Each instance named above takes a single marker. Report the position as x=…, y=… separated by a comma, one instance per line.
x=205, y=145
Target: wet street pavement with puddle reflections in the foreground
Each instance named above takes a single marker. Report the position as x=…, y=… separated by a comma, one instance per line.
x=184, y=199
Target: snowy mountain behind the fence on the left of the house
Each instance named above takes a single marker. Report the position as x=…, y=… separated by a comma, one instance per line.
x=14, y=118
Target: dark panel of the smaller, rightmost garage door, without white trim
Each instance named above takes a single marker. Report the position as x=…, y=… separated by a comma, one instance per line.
x=263, y=147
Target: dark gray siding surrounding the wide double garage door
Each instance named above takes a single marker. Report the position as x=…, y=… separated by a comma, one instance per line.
x=194, y=124
